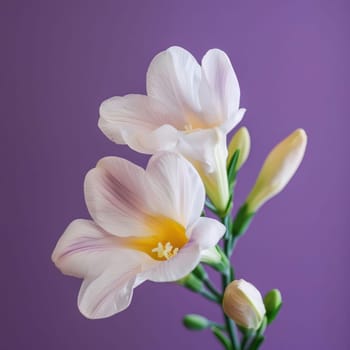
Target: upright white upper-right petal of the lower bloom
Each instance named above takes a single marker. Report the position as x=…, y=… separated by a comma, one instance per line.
x=178, y=191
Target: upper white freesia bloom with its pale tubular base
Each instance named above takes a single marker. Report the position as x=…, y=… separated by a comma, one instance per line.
x=188, y=109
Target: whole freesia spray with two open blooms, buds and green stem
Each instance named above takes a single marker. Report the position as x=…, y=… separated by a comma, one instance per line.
x=150, y=224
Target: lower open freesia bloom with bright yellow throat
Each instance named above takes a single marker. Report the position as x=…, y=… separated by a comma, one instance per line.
x=146, y=226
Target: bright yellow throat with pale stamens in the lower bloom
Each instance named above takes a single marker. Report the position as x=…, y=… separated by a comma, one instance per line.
x=166, y=238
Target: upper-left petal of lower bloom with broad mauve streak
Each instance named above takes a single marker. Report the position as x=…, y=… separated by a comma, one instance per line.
x=116, y=196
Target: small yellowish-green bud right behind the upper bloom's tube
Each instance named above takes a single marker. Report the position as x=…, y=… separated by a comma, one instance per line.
x=240, y=141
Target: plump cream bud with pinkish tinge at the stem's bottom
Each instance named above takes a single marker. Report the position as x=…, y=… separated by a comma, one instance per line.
x=243, y=303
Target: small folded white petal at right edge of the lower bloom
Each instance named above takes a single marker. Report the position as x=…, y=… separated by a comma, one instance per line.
x=206, y=232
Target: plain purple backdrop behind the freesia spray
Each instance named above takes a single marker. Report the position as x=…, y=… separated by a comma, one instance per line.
x=60, y=59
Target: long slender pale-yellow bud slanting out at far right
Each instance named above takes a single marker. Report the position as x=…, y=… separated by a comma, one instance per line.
x=278, y=169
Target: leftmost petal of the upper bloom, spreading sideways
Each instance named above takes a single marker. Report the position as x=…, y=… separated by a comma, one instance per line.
x=129, y=118
